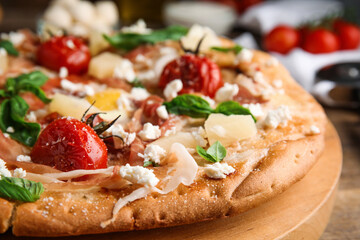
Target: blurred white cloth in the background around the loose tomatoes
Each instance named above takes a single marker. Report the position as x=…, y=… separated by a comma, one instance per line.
x=301, y=64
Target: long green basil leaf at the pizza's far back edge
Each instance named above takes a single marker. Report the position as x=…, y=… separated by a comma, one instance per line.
x=128, y=41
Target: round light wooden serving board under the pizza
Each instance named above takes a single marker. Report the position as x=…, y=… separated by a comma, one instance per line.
x=301, y=212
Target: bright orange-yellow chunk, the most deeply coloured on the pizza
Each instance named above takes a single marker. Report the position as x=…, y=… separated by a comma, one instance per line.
x=105, y=100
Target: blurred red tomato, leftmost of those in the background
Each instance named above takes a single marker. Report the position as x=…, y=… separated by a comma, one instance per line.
x=282, y=39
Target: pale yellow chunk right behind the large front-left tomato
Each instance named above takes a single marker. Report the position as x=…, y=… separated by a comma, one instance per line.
x=70, y=106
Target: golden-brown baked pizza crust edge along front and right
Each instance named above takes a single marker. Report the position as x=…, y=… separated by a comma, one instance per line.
x=287, y=161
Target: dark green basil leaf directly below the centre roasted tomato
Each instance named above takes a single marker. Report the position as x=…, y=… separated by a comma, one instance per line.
x=190, y=105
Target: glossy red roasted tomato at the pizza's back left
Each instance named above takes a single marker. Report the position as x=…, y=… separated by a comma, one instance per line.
x=64, y=51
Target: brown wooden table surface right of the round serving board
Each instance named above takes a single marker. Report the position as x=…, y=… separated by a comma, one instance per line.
x=345, y=220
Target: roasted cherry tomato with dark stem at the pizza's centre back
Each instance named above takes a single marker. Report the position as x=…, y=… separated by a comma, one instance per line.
x=198, y=74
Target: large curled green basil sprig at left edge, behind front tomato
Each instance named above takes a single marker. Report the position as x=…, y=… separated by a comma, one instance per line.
x=14, y=108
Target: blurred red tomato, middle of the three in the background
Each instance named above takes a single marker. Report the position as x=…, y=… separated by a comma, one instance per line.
x=320, y=41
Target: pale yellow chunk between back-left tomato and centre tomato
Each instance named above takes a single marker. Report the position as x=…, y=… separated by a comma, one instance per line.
x=103, y=65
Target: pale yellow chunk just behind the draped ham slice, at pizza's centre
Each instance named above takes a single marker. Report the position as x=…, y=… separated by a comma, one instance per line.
x=184, y=138
